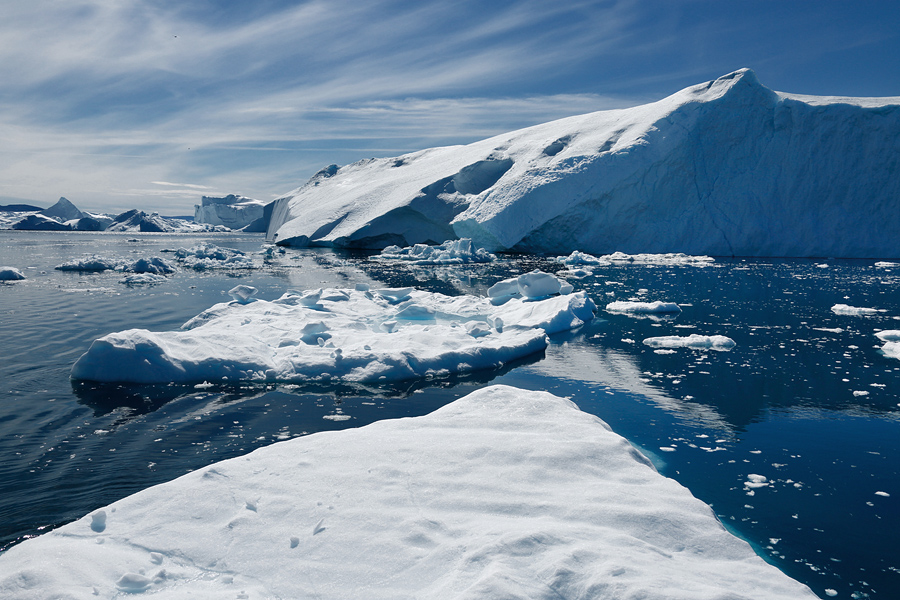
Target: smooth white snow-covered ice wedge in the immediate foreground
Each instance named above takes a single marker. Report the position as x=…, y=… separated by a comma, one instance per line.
x=504, y=493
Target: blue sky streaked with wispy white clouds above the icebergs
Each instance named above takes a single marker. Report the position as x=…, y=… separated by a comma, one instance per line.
x=151, y=104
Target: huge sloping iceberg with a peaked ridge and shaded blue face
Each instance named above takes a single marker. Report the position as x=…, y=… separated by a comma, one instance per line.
x=723, y=168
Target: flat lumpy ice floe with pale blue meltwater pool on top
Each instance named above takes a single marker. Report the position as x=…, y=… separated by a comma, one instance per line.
x=331, y=335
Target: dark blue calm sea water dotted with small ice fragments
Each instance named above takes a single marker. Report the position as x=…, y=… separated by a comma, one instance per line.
x=805, y=399
